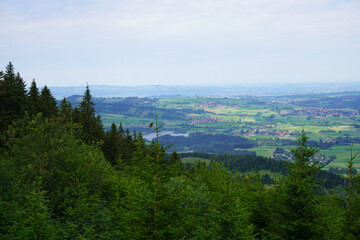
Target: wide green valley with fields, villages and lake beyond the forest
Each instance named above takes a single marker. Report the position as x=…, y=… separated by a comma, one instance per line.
x=246, y=123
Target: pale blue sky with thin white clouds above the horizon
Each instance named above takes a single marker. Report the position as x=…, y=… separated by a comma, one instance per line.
x=181, y=42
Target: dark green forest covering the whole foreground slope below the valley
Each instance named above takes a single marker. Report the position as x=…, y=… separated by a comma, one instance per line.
x=62, y=176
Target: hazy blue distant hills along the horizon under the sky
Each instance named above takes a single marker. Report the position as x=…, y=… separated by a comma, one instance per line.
x=239, y=90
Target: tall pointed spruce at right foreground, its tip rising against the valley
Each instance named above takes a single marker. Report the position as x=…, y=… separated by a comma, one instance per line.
x=298, y=201
